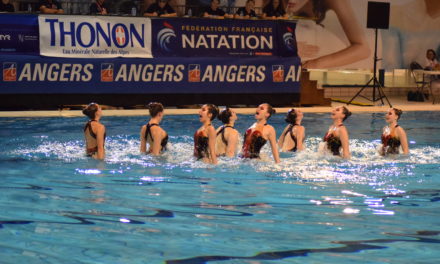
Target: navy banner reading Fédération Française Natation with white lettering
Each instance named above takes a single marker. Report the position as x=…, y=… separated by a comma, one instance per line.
x=220, y=38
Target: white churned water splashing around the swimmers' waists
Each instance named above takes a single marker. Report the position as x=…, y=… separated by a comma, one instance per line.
x=365, y=165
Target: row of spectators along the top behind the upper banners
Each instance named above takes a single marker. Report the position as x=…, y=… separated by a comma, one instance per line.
x=268, y=9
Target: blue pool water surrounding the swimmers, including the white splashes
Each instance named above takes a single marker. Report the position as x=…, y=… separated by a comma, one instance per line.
x=57, y=206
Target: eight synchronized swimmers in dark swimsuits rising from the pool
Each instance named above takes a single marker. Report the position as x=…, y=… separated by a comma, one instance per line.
x=210, y=143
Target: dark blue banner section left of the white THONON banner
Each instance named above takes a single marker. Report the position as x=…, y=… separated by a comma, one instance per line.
x=19, y=34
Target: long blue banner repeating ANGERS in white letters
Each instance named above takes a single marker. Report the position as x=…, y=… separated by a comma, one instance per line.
x=37, y=75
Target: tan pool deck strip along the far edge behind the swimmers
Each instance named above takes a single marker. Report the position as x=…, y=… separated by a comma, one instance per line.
x=396, y=101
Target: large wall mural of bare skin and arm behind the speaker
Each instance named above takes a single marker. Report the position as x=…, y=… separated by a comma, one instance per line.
x=339, y=38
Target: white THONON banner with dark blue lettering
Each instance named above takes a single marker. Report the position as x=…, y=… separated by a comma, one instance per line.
x=94, y=37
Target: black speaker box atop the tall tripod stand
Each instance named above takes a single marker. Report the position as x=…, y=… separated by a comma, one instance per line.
x=378, y=15
